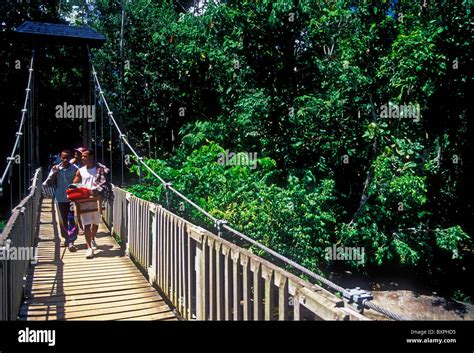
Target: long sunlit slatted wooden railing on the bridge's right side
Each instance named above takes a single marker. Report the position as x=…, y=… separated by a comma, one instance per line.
x=208, y=278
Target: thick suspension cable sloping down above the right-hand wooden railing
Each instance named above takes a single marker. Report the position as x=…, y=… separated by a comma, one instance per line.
x=357, y=296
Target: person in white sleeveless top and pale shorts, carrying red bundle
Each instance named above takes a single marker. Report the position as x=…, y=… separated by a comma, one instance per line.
x=93, y=176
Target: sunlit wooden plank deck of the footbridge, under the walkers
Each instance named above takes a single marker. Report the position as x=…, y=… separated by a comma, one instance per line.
x=67, y=286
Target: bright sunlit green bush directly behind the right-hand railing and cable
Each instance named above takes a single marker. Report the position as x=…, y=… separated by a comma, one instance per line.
x=296, y=220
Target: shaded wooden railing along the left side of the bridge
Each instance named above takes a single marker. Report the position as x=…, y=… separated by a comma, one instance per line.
x=19, y=233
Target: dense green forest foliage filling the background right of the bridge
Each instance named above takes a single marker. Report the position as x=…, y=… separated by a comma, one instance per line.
x=303, y=84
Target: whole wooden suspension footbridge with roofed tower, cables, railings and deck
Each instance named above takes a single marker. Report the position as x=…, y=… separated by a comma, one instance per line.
x=150, y=264
